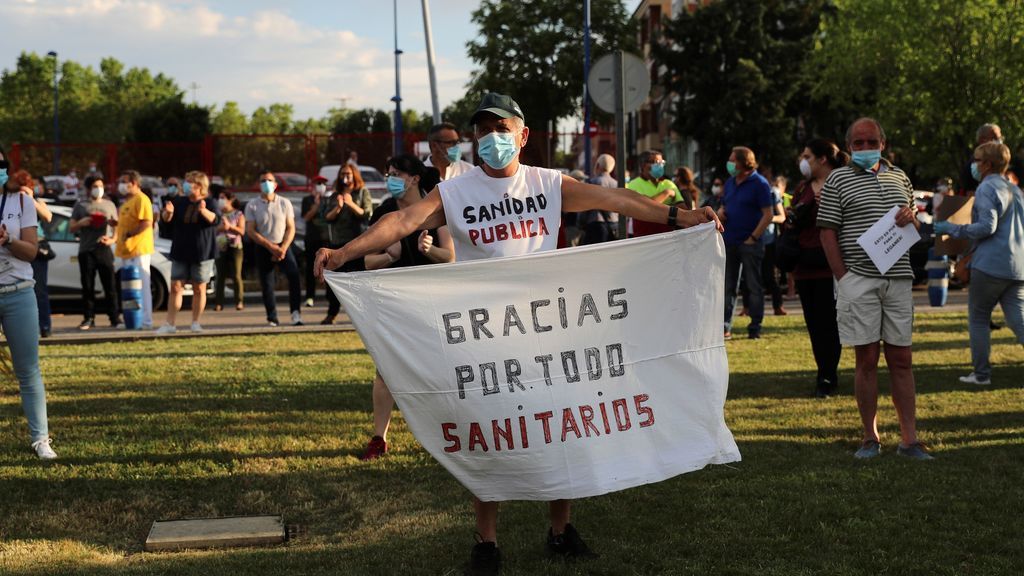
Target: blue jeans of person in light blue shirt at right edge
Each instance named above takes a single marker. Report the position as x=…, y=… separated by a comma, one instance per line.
x=984, y=294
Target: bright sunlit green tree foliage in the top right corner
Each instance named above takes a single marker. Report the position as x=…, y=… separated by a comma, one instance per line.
x=931, y=71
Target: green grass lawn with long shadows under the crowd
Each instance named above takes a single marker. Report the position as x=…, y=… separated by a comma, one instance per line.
x=274, y=425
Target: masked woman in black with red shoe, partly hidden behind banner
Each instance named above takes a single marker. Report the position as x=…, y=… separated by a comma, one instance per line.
x=410, y=180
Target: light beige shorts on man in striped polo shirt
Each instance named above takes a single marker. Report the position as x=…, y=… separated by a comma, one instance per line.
x=869, y=310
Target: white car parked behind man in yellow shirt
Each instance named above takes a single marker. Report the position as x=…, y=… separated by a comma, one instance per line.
x=65, y=281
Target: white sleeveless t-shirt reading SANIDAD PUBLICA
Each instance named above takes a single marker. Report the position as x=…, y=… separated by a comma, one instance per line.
x=494, y=218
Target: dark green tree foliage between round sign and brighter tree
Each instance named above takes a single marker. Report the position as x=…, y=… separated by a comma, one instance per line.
x=738, y=65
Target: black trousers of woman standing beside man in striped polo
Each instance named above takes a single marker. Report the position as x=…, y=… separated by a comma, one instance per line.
x=819, y=300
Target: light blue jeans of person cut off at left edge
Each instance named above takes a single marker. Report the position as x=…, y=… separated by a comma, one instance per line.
x=21, y=324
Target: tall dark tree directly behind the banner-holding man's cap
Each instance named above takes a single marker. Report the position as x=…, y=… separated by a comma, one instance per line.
x=533, y=51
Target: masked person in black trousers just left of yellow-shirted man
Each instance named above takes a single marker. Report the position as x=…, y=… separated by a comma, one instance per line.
x=94, y=220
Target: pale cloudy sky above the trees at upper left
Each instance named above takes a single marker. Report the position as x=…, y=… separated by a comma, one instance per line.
x=255, y=59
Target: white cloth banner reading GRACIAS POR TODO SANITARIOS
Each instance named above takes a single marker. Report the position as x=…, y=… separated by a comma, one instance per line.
x=564, y=375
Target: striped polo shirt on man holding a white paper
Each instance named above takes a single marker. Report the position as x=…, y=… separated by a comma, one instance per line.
x=852, y=200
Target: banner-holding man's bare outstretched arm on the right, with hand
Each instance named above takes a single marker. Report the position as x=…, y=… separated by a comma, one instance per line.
x=578, y=197
